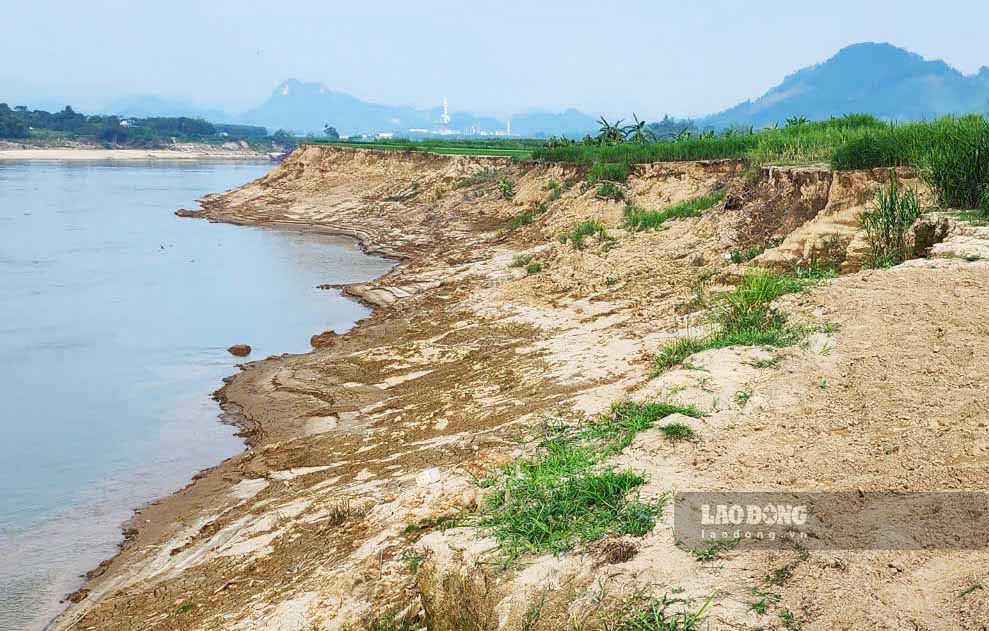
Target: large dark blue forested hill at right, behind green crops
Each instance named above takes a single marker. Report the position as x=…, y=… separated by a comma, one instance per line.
x=879, y=79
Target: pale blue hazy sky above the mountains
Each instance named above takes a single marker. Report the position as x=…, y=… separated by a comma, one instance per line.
x=487, y=57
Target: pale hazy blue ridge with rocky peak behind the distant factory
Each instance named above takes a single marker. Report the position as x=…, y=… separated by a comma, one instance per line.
x=306, y=107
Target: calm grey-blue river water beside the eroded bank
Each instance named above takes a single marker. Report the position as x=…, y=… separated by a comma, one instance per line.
x=114, y=320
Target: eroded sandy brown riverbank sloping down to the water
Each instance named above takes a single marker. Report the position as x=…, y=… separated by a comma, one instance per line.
x=354, y=497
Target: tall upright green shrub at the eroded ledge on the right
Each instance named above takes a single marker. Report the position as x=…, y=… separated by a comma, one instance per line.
x=887, y=223
